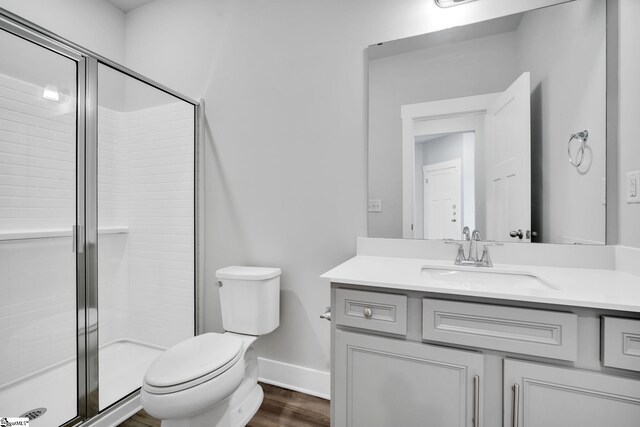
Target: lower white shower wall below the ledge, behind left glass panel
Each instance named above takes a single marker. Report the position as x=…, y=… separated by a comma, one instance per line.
x=37, y=320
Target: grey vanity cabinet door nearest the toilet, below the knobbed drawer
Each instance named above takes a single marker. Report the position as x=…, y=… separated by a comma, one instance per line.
x=383, y=382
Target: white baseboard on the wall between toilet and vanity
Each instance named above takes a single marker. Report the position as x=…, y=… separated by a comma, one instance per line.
x=305, y=380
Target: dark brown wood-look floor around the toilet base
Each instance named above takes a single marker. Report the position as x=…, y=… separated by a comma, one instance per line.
x=280, y=408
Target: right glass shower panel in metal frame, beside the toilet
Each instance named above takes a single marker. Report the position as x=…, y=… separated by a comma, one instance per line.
x=146, y=244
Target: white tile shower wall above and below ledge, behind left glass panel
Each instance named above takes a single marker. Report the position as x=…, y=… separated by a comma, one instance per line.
x=37, y=192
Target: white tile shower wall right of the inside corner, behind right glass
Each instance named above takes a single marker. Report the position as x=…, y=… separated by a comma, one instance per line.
x=161, y=152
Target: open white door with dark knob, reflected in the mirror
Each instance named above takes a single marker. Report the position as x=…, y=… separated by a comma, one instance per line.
x=508, y=125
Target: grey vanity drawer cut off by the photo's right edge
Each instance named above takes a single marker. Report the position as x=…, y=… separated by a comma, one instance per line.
x=621, y=343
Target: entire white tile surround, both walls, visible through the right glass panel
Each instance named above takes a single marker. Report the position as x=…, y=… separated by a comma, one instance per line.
x=145, y=177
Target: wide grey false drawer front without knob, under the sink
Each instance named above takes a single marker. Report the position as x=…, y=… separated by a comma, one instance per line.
x=516, y=330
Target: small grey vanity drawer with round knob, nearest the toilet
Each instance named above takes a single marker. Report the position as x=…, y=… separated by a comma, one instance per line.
x=372, y=310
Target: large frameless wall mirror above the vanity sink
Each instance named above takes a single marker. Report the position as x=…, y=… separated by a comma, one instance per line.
x=499, y=126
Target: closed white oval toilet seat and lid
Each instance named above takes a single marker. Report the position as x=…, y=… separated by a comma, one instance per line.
x=193, y=362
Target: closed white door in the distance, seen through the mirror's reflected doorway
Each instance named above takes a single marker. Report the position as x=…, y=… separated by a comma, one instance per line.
x=442, y=183
